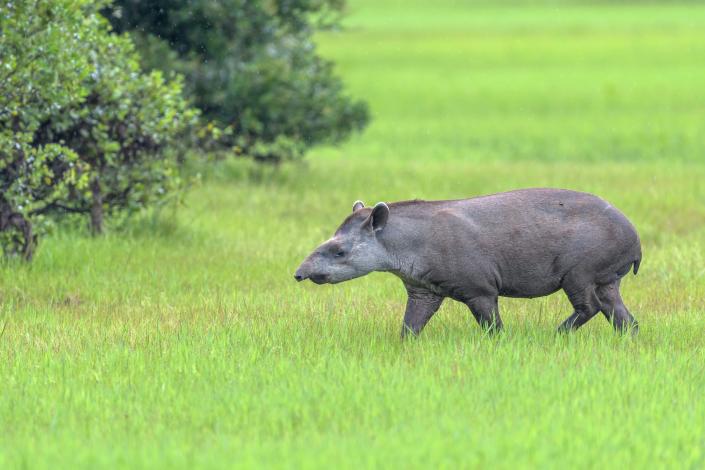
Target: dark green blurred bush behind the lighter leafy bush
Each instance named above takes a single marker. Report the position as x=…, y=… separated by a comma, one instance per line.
x=251, y=67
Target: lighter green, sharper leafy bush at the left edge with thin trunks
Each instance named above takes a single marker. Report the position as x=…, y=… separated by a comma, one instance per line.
x=82, y=129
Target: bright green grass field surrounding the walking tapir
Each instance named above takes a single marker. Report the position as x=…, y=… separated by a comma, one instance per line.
x=186, y=342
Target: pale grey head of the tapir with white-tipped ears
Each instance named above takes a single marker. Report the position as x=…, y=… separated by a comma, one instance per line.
x=353, y=251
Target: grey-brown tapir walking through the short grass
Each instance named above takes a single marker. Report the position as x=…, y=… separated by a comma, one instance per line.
x=525, y=243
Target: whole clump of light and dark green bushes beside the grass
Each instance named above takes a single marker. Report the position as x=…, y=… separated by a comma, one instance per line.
x=99, y=117
